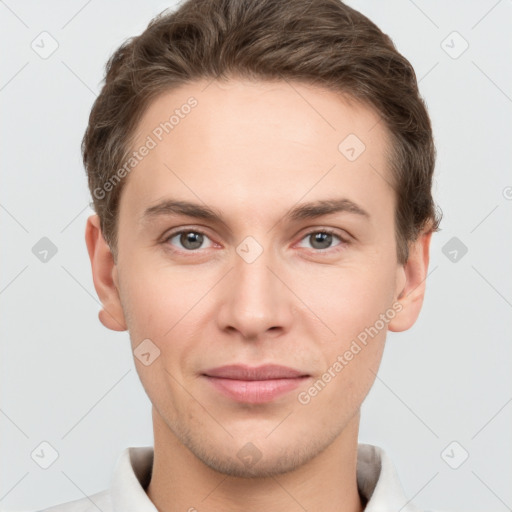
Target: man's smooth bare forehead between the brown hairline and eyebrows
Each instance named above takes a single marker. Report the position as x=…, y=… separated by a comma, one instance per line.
x=255, y=144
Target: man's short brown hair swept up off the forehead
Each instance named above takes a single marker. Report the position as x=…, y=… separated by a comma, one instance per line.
x=318, y=42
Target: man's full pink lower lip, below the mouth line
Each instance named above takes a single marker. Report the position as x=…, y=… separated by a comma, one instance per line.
x=254, y=391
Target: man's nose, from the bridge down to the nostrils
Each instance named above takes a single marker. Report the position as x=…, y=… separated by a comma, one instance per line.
x=255, y=301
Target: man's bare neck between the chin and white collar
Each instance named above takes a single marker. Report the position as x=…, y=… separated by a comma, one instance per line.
x=182, y=482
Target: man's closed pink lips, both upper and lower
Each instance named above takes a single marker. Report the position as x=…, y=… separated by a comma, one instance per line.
x=254, y=384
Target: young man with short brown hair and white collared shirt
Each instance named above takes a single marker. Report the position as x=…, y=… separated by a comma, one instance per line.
x=261, y=174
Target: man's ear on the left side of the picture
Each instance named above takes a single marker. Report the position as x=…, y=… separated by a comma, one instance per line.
x=104, y=274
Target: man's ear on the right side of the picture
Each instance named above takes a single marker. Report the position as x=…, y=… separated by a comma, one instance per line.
x=411, y=283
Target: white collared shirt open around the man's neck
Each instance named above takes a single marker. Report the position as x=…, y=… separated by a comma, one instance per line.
x=377, y=481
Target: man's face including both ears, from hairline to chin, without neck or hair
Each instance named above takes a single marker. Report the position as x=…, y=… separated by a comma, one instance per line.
x=258, y=231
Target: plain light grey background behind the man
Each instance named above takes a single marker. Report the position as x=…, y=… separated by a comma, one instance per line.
x=68, y=381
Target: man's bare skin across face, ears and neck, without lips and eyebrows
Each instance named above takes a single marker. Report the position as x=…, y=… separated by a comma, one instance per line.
x=253, y=151
